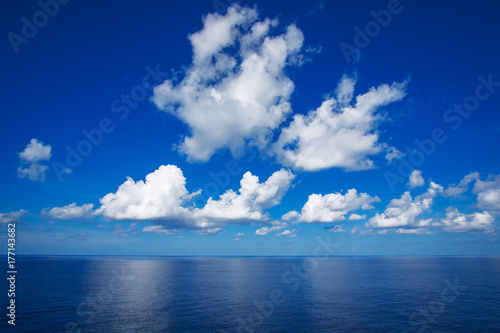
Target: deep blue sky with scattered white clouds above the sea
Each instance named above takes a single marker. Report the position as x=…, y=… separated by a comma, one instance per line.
x=251, y=128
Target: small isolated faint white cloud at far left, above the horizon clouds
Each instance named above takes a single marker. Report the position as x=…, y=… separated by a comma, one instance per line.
x=32, y=158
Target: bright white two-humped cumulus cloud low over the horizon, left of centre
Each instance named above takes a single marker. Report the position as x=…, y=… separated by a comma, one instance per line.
x=163, y=199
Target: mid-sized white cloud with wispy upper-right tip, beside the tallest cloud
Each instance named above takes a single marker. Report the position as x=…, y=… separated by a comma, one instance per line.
x=338, y=133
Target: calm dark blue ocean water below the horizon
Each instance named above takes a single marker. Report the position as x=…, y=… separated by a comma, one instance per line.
x=234, y=294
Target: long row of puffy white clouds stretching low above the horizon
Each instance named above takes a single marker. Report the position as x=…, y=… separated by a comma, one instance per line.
x=164, y=200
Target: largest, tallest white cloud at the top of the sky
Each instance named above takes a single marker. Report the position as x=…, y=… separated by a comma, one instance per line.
x=229, y=101
